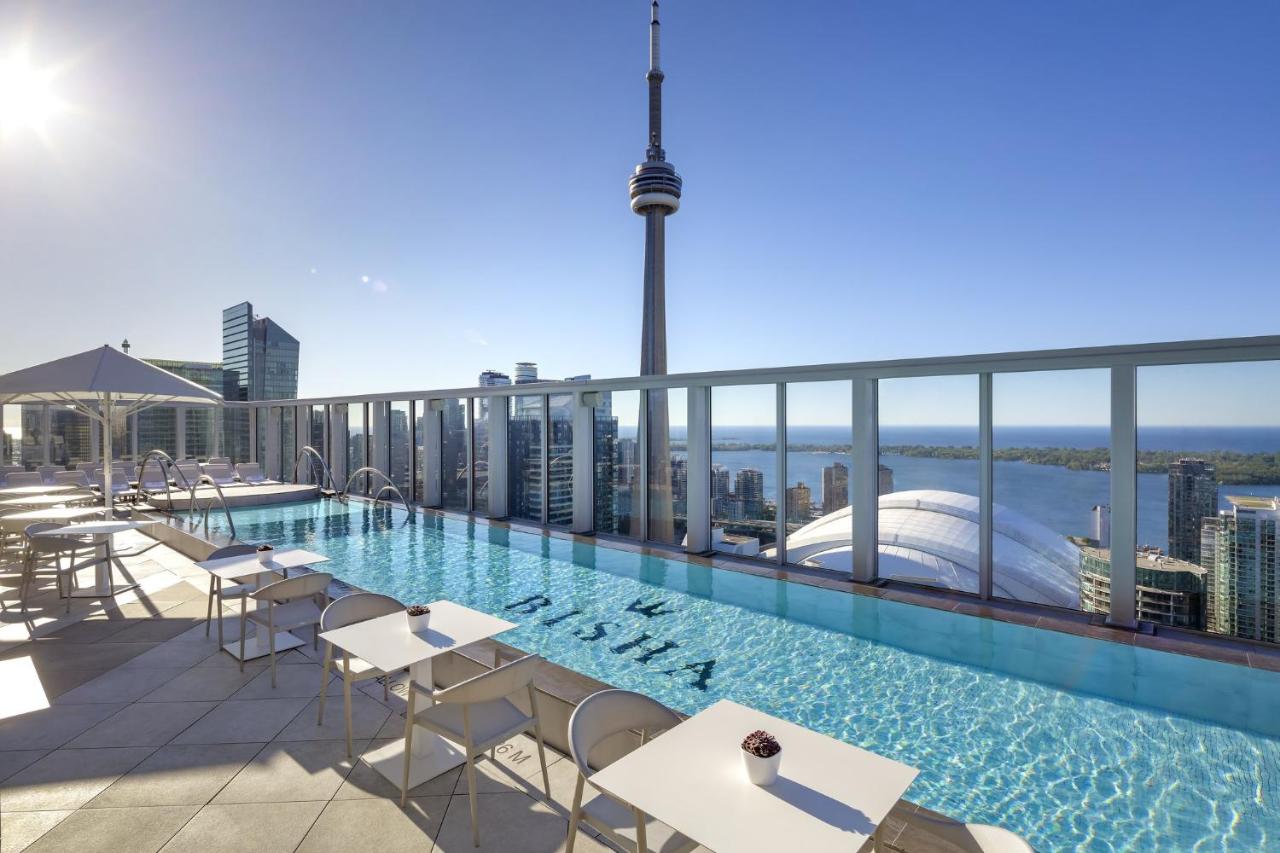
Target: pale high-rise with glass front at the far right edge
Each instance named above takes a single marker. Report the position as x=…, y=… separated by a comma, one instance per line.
x=1246, y=574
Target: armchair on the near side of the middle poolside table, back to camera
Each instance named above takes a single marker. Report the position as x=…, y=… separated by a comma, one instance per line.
x=479, y=715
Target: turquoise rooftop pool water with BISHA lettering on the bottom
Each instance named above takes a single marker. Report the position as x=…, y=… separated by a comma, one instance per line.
x=1075, y=743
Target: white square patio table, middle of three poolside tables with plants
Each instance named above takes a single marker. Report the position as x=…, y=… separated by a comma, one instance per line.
x=387, y=644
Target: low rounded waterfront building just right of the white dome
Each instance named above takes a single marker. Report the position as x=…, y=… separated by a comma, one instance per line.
x=1171, y=591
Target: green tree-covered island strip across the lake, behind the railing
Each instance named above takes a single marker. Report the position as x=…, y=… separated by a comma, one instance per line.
x=1231, y=467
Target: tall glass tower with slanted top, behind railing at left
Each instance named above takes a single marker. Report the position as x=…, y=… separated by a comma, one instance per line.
x=262, y=363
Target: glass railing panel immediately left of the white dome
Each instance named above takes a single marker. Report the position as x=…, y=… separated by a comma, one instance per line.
x=746, y=471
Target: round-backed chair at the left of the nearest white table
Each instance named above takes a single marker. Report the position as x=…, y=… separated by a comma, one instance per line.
x=597, y=719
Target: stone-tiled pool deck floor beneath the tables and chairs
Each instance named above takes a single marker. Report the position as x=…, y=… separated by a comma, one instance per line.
x=125, y=729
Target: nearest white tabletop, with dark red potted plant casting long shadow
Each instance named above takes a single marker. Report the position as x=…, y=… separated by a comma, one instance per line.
x=829, y=795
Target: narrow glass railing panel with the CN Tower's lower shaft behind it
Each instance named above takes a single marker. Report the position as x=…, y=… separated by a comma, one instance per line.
x=669, y=466
